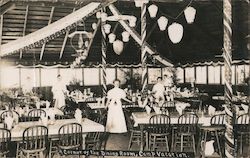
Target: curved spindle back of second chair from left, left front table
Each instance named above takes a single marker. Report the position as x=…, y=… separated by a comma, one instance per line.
x=35, y=138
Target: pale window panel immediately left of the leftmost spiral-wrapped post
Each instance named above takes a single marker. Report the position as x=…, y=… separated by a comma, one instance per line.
x=91, y=76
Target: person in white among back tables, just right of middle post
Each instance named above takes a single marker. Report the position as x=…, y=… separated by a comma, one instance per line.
x=159, y=90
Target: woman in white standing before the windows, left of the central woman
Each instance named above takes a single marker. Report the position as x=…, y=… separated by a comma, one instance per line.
x=59, y=89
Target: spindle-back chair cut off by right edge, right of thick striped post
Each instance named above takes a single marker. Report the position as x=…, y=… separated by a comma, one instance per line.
x=243, y=130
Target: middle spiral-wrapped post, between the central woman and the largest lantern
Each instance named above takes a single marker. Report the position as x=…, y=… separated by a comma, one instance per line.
x=143, y=47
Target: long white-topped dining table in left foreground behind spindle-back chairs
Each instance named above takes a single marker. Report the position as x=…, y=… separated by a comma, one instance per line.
x=53, y=128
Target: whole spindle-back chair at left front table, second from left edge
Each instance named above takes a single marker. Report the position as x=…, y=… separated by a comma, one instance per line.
x=35, y=141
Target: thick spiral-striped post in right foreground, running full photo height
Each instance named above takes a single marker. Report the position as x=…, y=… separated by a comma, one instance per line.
x=230, y=143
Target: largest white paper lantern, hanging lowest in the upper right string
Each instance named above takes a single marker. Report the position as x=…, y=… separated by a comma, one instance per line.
x=175, y=32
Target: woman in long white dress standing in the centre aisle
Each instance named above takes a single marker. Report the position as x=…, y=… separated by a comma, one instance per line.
x=116, y=122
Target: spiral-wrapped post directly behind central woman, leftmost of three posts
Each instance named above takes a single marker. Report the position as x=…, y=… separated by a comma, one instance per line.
x=104, y=57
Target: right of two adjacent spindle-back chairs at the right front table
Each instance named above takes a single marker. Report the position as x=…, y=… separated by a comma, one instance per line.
x=186, y=131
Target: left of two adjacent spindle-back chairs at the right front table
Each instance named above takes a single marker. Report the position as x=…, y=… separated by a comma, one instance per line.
x=158, y=131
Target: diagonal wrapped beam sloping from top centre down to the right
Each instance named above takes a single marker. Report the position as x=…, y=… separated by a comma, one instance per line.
x=134, y=34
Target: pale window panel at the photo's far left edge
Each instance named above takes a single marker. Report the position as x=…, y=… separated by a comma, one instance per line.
x=9, y=77
